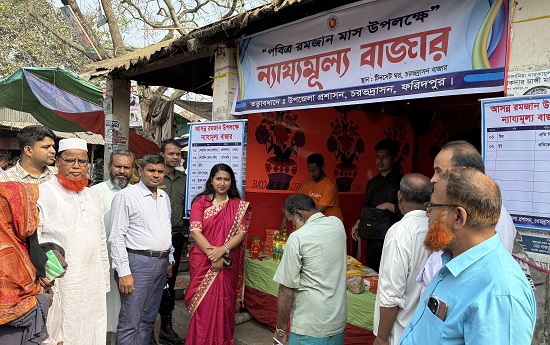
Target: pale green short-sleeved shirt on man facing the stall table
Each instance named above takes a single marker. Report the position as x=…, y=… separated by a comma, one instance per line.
x=314, y=265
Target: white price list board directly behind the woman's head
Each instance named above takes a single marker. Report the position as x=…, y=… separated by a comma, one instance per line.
x=211, y=143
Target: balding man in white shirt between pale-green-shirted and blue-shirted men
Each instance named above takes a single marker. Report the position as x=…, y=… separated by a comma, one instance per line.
x=403, y=256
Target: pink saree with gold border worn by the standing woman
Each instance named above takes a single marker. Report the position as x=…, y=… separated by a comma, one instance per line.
x=211, y=296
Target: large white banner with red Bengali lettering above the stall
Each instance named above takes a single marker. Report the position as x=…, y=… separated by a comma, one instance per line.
x=375, y=51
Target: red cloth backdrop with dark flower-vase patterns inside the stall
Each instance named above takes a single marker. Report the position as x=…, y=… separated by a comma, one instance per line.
x=279, y=143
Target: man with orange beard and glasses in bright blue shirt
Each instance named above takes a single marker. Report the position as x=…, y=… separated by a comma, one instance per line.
x=481, y=295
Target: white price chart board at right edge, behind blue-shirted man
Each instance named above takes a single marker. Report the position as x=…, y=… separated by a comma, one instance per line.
x=516, y=152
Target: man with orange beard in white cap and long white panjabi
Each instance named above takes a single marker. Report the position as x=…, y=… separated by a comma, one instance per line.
x=71, y=215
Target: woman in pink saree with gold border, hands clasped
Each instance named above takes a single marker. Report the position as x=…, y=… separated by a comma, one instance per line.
x=219, y=222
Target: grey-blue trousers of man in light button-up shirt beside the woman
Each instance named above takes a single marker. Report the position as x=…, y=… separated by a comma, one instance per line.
x=138, y=311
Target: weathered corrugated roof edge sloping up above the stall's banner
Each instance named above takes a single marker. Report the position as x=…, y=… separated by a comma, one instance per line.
x=168, y=47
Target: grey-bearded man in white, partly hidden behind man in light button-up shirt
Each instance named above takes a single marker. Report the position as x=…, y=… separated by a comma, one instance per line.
x=121, y=166
